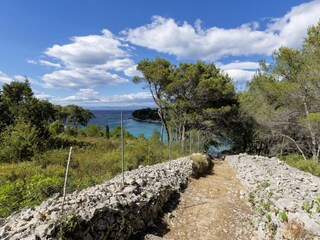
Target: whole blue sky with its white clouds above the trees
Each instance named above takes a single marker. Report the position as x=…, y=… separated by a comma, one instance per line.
x=85, y=52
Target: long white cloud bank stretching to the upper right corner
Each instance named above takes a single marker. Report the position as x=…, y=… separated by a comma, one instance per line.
x=188, y=42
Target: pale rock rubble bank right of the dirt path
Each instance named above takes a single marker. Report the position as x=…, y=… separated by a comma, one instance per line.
x=286, y=200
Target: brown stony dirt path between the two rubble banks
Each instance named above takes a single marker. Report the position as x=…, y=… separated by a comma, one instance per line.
x=210, y=208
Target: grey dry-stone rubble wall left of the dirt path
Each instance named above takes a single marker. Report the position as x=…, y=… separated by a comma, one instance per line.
x=106, y=211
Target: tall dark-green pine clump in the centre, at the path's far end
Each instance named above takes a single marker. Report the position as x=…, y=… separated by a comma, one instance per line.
x=192, y=97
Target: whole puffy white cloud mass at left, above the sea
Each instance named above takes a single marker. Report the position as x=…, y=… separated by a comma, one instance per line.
x=88, y=61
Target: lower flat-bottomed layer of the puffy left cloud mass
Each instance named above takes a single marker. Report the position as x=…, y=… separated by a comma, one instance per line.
x=81, y=78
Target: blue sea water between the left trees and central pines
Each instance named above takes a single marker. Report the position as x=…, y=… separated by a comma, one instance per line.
x=112, y=118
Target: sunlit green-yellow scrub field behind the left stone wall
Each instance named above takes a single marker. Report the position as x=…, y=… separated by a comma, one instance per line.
x=94, y=160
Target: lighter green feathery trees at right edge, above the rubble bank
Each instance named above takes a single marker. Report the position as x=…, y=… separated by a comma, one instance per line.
x=287, y=92
